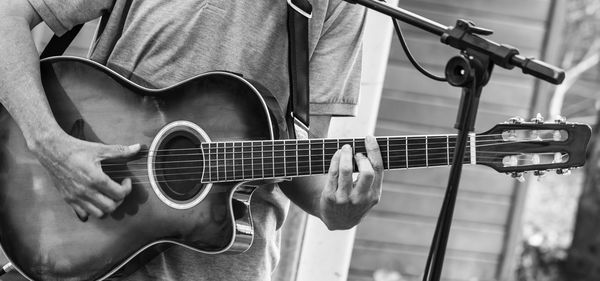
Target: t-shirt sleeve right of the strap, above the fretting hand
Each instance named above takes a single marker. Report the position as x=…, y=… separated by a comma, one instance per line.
x=335, y=65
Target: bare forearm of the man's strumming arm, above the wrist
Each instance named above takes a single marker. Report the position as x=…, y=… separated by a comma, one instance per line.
x=21, y=91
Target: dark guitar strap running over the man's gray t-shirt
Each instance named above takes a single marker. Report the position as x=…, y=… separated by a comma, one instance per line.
x=298, y=13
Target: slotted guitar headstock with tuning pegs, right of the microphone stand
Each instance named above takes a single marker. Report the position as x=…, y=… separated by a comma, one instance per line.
x=516, y=146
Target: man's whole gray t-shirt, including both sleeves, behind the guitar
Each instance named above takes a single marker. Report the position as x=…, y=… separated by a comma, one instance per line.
x=157, y=43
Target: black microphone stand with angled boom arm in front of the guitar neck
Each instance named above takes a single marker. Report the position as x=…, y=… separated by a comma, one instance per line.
x=471, y=70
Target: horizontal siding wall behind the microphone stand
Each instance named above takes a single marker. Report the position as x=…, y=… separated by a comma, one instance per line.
x=397, y=234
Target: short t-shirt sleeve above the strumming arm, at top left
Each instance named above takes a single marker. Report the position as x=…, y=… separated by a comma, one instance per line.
x=61, y=15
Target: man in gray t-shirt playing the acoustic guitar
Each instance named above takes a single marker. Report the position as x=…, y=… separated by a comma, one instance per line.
x=157, y=43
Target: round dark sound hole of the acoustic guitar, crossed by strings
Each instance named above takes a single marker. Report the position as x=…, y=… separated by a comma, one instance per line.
x=178, y=166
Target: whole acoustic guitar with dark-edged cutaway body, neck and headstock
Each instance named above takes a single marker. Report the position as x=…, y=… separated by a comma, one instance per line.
x=210, y=141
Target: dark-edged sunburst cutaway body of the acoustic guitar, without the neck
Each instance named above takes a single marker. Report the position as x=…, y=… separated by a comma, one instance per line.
x=40, y=233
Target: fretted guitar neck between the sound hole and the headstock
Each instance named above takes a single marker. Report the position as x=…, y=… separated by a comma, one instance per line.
x=255, y=160
